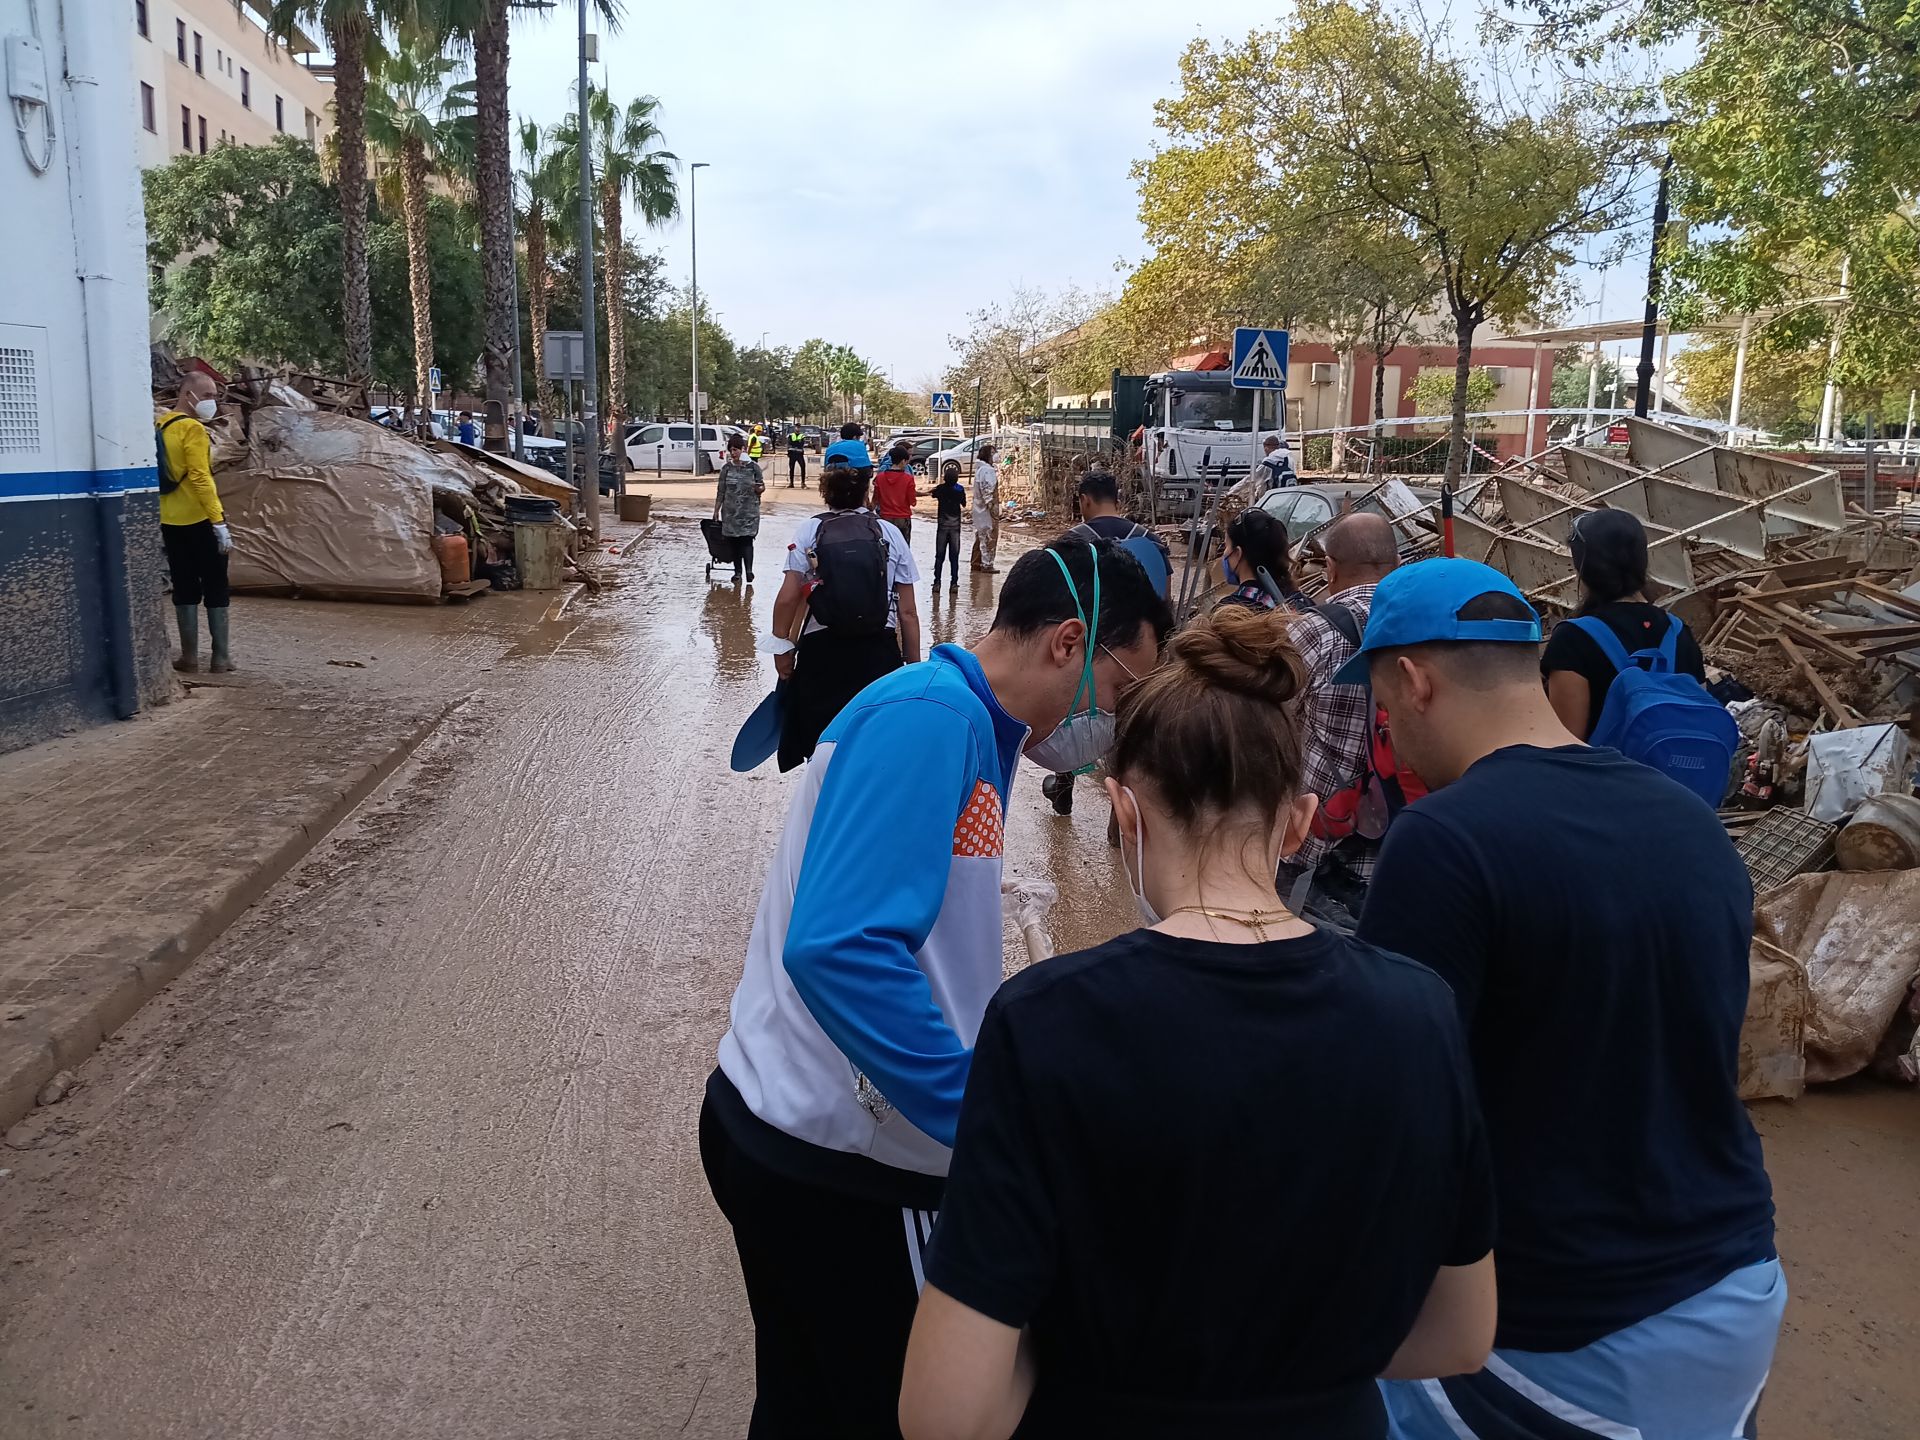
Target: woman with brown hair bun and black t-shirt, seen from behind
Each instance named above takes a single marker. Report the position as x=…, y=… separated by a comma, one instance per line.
x=1216, y=1176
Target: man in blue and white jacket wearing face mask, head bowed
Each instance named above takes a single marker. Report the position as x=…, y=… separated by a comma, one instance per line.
x=830, y=1120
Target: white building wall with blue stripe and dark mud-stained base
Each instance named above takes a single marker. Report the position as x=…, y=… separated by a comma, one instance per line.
x=84, y=631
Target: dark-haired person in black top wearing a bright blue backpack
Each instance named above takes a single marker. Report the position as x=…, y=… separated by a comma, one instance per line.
x=1610, y=554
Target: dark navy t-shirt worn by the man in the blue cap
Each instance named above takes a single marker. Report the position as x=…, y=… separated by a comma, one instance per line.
x=1593, y=921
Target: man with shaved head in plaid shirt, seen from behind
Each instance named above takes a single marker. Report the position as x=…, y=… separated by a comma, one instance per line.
x=1360, y=552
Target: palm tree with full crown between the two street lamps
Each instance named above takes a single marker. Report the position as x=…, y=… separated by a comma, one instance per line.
x=629, y=164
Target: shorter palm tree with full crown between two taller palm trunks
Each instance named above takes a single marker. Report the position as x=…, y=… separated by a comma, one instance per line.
x=416, y=116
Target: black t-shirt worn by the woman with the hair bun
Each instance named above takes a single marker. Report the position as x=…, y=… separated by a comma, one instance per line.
x=1216, y=1180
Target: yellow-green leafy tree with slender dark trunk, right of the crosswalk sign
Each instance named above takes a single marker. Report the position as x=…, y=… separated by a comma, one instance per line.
x=1493, y=183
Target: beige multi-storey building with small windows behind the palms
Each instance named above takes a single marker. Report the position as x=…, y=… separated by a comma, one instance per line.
x=206, y=72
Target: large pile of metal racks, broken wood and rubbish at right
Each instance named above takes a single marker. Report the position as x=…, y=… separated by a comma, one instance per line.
x=1808, y=612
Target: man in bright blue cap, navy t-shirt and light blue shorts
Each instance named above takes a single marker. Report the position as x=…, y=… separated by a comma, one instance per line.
x=1595, y=923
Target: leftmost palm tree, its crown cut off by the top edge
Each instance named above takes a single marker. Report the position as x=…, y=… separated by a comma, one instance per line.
x=352, y=30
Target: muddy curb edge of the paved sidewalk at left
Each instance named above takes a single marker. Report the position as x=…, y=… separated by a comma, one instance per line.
x=60, y=1034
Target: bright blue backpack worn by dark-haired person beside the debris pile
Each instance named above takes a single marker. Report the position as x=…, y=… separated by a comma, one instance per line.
x=1664, y=719
